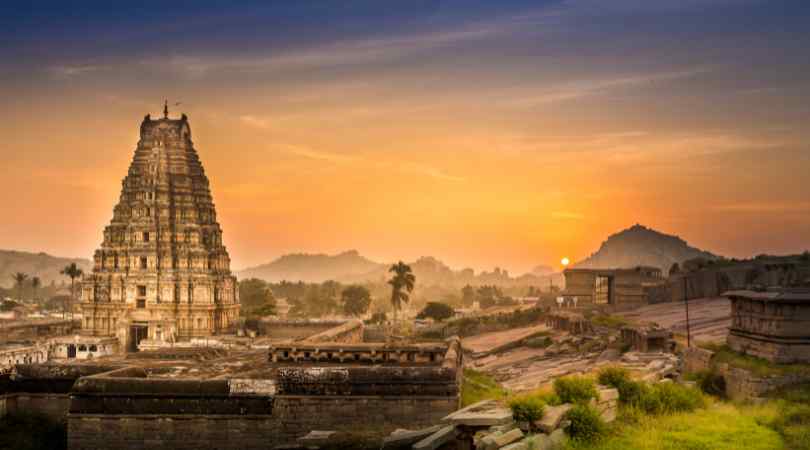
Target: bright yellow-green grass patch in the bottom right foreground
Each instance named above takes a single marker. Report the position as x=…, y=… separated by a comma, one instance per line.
x=719, y=427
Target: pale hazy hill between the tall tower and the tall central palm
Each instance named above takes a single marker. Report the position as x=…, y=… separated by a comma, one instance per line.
x=313, y=267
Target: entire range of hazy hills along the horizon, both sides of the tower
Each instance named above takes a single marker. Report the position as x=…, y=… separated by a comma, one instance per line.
x=637, y=245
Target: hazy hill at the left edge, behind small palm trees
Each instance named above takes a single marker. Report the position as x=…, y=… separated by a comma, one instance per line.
x=41, y=265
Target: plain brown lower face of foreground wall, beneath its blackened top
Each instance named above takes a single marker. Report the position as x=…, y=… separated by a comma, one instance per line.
x=291, y=418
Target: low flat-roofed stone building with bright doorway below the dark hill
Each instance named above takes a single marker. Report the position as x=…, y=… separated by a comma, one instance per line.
x=617, y=288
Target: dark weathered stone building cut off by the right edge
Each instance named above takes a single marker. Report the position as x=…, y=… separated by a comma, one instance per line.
x=773, y=324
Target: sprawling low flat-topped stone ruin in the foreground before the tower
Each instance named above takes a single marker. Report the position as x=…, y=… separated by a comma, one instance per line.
x=197, y=397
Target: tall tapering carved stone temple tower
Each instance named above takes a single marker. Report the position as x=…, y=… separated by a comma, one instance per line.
x=162, y=273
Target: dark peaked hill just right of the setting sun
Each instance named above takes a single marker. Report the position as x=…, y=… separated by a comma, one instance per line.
x=639, y=245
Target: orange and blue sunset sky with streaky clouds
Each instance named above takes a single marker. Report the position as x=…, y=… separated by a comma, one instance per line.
x=485, y=133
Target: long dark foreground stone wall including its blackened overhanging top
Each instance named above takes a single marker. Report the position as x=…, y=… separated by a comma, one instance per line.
x=125, y=409
